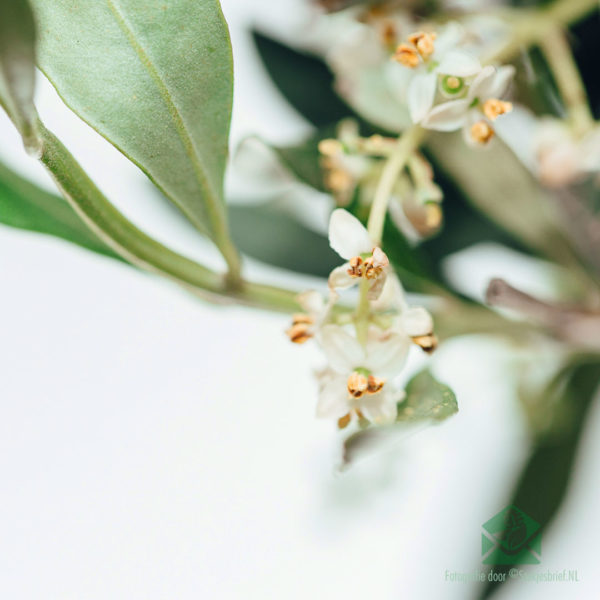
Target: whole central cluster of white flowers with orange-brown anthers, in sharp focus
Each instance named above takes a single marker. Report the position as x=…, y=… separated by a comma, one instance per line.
x=367, y=349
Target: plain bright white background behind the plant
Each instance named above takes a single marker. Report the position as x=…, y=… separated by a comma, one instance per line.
x=155, y=447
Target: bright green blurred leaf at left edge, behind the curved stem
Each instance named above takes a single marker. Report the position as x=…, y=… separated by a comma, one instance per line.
x=26, y=206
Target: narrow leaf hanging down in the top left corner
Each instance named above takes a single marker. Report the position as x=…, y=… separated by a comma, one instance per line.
x=17, y=68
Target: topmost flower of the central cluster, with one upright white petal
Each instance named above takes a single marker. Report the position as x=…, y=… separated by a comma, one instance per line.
x=350, y=239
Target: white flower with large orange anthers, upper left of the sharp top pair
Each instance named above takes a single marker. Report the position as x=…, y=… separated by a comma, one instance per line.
x=434, y=58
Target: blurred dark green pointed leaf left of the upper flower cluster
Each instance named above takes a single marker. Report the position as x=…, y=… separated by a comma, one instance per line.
x=304, y=80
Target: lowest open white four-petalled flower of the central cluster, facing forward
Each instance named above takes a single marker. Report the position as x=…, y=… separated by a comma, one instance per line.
x=352, y=386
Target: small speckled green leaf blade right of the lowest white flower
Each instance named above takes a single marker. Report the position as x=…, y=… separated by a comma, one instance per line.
x=427, y=398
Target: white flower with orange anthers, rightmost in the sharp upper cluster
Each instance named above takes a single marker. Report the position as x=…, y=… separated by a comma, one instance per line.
x=473, y=112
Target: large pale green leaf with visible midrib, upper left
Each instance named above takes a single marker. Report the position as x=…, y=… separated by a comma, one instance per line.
x=155, y=79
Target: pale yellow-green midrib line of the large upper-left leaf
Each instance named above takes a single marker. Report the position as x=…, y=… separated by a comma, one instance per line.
x=188, y=144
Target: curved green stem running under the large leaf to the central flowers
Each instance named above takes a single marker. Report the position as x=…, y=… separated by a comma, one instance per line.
x=135, y=246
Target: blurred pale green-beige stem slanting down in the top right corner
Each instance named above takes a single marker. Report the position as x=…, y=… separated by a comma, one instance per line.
x=559, y=56
